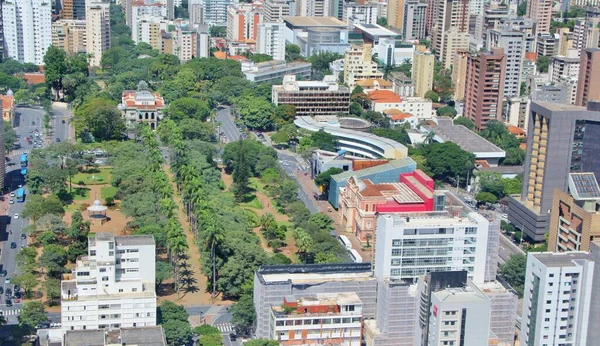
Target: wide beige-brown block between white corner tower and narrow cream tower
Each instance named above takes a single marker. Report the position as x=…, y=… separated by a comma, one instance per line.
x=70, y=36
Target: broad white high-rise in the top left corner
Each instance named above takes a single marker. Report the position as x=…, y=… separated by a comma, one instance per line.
x=27, y=29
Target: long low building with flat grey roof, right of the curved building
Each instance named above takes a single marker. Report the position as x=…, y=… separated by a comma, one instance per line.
x=465, y=138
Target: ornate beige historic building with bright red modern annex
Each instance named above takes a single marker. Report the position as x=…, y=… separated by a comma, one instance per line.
x=361, y=201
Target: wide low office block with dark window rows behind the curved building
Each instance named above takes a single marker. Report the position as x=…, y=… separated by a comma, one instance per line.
x=311, y=98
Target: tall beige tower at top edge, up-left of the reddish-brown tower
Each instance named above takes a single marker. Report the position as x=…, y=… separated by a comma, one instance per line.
x=450, y=29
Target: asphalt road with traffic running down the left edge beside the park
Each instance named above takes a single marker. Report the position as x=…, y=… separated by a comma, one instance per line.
x=26, y=121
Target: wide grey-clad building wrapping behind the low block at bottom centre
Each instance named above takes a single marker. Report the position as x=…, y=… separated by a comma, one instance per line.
x=273, y=283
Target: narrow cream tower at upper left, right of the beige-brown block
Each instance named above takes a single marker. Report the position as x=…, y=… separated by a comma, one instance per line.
x=97, y=24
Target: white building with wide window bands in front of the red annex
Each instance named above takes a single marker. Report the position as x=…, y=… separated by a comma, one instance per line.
x=408, y=246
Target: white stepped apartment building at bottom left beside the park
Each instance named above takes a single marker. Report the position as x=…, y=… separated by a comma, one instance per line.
x=113, y=286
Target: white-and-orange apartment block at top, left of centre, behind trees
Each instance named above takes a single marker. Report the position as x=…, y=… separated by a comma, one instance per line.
x=242, y=22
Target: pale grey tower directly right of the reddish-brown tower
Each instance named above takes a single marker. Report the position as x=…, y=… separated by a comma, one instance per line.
x=513, y=44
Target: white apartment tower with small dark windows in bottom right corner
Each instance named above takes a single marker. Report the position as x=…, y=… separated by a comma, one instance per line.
x=558, y=302
